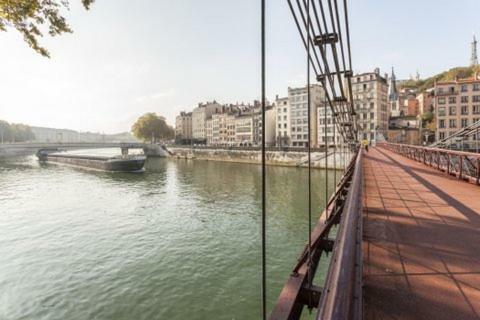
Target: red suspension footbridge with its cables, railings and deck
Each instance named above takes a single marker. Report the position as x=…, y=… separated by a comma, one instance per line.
x=400, y=233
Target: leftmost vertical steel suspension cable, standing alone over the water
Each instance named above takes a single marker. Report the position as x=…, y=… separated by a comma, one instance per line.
x=264, y=196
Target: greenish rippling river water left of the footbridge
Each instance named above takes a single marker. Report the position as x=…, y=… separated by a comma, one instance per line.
x=178, y=241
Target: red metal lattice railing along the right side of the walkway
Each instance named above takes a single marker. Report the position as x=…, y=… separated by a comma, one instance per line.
x=463, y=165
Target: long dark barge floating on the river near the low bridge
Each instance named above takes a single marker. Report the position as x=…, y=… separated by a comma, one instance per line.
x=124, y=163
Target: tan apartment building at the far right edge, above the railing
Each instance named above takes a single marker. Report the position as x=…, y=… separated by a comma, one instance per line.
x=457, y=105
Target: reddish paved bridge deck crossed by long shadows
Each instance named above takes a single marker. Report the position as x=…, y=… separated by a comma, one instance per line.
x=421, y=241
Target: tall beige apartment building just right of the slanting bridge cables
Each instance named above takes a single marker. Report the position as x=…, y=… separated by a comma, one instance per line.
x=370, y=96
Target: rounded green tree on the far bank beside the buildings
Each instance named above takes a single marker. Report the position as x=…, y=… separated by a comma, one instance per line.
x=152, y=127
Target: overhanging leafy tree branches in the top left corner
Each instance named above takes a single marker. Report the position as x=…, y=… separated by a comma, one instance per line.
x=27, y=16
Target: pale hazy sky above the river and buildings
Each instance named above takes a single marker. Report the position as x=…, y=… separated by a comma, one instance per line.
x=126, y=58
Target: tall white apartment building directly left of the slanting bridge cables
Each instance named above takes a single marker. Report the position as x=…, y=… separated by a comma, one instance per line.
x=299, y=114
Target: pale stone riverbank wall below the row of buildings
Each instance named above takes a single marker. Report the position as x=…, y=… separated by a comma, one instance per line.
x=273, y=158
